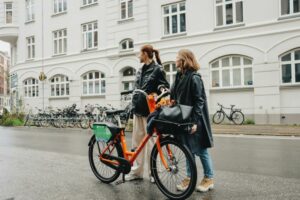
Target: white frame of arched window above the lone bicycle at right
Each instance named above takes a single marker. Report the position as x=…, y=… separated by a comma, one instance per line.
x=231, y=68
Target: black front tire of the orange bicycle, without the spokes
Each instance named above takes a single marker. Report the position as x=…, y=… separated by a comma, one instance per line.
x=188, y=158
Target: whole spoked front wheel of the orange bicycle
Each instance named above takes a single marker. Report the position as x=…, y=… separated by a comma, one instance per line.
x=179, y=160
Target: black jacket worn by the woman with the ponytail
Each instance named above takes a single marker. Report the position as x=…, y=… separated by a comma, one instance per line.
x=150, y=78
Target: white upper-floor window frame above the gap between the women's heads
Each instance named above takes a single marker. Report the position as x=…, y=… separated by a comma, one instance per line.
x=169, y=15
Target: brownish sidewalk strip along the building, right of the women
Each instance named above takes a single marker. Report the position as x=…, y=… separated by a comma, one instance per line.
x=272, y=130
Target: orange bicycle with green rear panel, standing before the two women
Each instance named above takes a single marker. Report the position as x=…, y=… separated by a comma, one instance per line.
x=169, y=162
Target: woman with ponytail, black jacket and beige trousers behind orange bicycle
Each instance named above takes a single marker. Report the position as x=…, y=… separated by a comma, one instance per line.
x=151, y=78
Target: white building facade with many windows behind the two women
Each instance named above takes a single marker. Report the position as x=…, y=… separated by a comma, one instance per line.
x=249, y=50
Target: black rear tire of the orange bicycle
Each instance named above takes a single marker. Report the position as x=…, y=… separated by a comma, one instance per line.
x=96, y=172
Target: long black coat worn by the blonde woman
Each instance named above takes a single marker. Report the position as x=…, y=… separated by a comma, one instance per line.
x=188, y=89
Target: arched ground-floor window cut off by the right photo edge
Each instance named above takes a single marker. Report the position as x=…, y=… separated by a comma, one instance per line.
x=290, y=67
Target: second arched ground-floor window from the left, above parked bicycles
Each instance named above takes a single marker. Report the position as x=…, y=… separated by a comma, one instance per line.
x=60, y=86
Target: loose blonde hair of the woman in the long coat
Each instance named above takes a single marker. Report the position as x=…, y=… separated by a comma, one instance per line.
x=188, y=60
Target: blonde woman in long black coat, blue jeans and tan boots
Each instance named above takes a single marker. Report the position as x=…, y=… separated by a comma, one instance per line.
x=188, y=89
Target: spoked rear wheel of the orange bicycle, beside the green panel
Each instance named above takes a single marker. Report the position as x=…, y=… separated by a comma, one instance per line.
x=103, y=172
